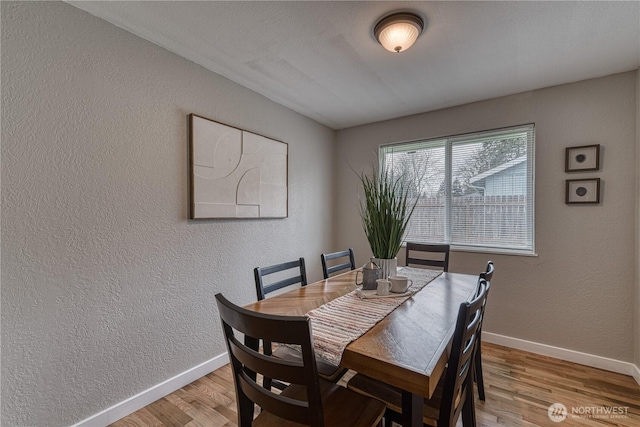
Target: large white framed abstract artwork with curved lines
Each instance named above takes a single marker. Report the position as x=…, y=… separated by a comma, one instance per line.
x=235, y=173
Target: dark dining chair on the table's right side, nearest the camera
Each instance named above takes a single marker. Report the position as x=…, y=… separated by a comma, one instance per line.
x=454, y=393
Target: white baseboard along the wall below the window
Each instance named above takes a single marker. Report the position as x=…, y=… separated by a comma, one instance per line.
x=565, y=354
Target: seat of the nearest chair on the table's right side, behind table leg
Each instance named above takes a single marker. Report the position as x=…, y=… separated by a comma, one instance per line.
x=392, y=396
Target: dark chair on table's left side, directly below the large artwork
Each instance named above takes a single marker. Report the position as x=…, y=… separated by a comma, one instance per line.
x=326, y=370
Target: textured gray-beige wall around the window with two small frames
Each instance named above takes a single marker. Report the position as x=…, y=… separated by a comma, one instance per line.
x=578, y=293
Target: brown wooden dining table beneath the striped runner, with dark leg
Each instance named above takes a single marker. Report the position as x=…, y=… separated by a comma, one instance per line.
x=408, y=348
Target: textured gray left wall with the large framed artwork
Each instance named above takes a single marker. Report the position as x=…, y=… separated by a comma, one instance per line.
x=107, y=287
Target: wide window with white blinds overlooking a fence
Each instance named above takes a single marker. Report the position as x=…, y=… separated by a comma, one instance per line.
x=473, y=191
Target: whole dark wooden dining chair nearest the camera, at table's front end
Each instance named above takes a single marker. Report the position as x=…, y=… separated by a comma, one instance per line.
x=308, y=399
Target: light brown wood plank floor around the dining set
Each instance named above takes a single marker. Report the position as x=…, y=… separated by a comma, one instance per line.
x=519, y=387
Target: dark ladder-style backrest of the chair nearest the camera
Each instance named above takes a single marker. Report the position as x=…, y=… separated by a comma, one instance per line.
x=247, y=361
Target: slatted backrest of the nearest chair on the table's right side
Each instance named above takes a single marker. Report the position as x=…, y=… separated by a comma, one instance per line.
x=459, y=376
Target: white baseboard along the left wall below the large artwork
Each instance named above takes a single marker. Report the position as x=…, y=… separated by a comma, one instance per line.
x=142, y=399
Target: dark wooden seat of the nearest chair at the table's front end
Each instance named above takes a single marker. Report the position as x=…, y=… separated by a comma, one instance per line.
x=342, y=408
